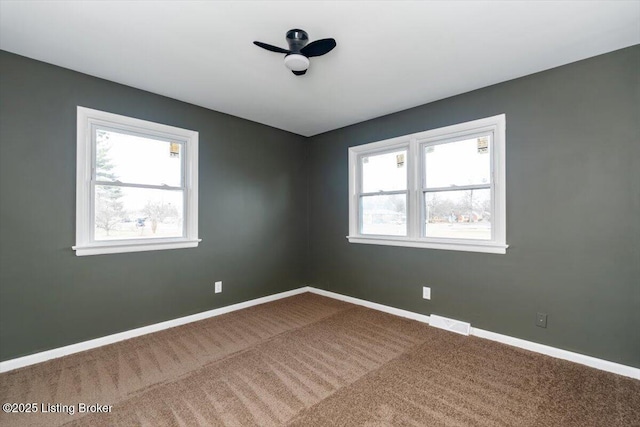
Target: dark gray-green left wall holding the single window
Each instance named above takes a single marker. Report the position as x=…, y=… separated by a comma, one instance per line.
x=253, y=221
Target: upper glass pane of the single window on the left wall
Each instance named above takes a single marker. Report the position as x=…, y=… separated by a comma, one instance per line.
x=137, y=160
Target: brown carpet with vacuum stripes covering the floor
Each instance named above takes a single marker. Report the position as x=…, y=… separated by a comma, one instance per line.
x=313, y=361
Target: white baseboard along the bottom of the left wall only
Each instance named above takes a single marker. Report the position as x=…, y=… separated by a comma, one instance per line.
x=31, y=359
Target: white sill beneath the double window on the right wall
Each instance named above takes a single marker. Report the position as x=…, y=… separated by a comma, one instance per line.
x=486, y=247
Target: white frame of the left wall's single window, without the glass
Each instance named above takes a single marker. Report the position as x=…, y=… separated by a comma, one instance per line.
x=87, y=120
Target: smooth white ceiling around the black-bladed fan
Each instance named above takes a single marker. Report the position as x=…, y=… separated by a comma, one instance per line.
x=390, y=55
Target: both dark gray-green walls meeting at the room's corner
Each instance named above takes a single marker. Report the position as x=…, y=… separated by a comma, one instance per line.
x=573, y=203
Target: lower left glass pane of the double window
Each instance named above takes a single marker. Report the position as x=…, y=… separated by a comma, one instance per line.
x=384, y=214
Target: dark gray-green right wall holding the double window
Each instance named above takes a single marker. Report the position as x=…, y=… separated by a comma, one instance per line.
x=573, y=209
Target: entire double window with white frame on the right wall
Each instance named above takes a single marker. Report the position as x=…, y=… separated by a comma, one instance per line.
x=439, y=189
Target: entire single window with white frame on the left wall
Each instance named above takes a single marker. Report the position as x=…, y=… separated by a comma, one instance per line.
x=137, y=185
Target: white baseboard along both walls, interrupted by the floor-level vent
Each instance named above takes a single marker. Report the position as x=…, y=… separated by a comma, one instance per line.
x=604, y=365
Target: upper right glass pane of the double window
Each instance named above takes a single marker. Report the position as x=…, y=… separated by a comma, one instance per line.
x=466, y=162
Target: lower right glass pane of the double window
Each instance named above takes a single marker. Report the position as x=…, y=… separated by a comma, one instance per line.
x=462, y=214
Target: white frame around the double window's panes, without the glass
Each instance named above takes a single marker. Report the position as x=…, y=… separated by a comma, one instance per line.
x=415, y=143
